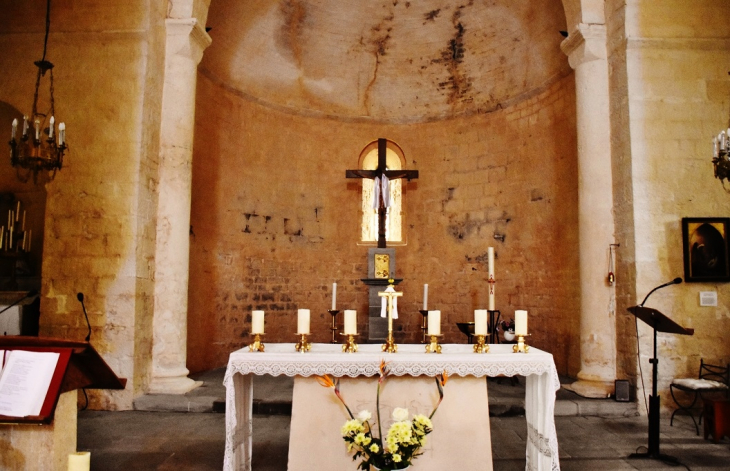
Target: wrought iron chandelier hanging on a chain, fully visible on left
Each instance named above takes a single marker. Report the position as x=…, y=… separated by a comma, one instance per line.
x=40, y=147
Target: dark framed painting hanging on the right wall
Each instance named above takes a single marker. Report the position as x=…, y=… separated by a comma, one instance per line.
x=705, y=247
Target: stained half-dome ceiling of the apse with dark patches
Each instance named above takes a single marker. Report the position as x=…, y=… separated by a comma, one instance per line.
x=385, y=61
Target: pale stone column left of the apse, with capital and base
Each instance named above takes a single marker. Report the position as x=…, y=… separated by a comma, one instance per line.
x=186, y=41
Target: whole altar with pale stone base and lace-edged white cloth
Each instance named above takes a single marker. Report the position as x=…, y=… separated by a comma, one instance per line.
x=458, y=360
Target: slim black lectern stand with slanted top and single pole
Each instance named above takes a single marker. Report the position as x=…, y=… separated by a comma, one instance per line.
x=660, y=323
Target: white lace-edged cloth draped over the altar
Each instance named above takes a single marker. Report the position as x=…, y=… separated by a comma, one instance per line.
x=457, y=359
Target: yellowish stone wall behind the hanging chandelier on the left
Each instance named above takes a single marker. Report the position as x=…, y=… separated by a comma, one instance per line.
x=99, y=228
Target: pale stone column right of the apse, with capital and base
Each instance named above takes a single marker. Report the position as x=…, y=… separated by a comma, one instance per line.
x=586, y=51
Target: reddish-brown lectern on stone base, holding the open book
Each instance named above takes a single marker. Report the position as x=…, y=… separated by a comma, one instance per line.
x=46, y=440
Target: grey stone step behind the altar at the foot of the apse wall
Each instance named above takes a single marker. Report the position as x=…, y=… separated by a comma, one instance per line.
x=272, y=396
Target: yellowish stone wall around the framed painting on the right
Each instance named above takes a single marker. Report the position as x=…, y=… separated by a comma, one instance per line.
x=674, y=98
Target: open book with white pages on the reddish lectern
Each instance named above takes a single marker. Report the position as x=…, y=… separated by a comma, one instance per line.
x=24, y=381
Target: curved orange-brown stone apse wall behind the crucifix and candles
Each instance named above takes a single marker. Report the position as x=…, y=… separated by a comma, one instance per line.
x=275, y=222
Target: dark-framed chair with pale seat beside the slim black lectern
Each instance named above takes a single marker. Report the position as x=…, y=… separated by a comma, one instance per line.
x=712, y=379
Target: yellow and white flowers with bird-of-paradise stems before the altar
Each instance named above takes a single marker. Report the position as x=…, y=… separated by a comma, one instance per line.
x=403, y=440
